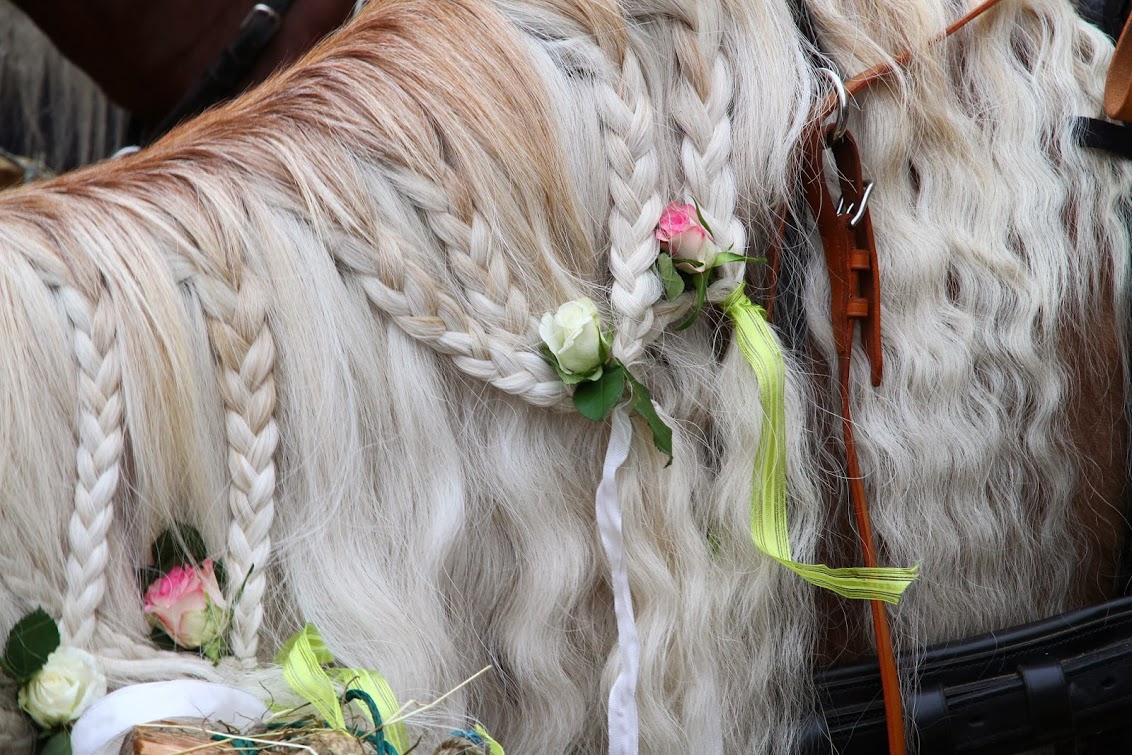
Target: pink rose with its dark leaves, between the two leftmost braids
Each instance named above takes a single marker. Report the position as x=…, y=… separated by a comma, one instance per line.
x=184, y=595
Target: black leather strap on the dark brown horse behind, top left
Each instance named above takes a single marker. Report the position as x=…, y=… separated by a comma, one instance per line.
x=220, y=82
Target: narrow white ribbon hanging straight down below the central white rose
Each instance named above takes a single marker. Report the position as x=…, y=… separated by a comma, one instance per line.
x=624, y=730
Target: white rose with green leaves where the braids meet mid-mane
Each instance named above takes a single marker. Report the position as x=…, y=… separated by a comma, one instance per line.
x=581, y=354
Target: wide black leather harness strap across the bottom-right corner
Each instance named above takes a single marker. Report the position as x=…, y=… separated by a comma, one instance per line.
x=1014, y=690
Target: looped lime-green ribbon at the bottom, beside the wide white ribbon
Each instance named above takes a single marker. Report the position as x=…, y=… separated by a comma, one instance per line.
x=304, y=659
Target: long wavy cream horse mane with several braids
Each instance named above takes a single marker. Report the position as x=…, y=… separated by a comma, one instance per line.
x=306, y=324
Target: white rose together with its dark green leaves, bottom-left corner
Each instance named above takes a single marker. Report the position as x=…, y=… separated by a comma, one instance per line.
x=57, y=683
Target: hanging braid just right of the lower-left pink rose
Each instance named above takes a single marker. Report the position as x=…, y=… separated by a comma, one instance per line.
x=246, y=351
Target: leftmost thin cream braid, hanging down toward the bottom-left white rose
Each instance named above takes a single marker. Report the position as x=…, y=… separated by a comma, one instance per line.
x=99, y=457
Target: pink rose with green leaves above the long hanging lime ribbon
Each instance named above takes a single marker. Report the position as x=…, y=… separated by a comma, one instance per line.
x=690, y=254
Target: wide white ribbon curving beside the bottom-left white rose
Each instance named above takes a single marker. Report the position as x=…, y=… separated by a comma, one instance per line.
x=106, y=725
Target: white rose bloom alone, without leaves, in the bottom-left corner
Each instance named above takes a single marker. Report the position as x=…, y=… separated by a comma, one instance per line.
x=64, y=689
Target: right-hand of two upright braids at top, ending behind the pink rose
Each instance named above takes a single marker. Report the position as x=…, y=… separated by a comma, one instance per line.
x=702, y=107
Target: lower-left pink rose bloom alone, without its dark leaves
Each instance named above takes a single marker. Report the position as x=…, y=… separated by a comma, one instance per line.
x=188, y=605
